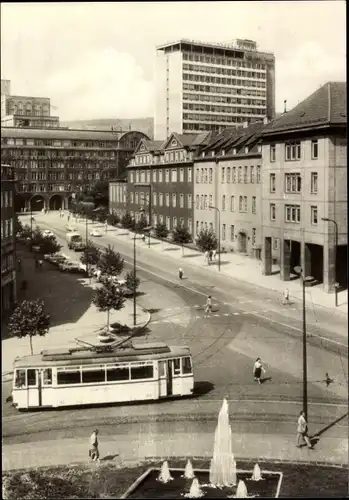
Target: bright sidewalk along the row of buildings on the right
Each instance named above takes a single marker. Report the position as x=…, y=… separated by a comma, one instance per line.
x=242, y=268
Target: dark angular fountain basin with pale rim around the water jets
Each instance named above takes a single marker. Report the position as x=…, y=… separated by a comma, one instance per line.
x=147, y=485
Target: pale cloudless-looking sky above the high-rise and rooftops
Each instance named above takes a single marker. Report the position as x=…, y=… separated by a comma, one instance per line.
x=96, y=60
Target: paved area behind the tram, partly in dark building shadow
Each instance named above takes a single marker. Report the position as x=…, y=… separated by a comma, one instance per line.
x=82, y=320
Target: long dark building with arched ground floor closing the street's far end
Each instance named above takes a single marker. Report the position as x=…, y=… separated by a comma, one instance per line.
x=51, y=165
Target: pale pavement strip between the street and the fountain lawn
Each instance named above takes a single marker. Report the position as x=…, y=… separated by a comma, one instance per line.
x=133, y=447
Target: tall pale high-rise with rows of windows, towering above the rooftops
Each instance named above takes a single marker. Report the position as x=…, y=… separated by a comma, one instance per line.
x=208, y=87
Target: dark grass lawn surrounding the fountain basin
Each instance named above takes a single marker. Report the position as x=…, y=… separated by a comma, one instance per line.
x=108, y=480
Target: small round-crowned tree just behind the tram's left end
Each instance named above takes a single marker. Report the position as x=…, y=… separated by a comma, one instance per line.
x=29, y=319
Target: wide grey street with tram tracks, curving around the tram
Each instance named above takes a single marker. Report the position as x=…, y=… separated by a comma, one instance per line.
x=224, y=347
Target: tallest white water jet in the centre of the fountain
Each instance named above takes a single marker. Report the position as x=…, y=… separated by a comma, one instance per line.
x=223, y=465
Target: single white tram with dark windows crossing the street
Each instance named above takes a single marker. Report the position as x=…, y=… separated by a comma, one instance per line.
x=91, y=376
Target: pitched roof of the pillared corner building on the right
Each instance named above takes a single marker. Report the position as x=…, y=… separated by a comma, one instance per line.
x=326, y=106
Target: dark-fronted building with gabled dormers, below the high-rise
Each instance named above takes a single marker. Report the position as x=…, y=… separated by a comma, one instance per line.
x=160, y=181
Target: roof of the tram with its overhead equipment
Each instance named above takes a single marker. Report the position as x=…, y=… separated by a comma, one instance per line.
x=88, y=356
